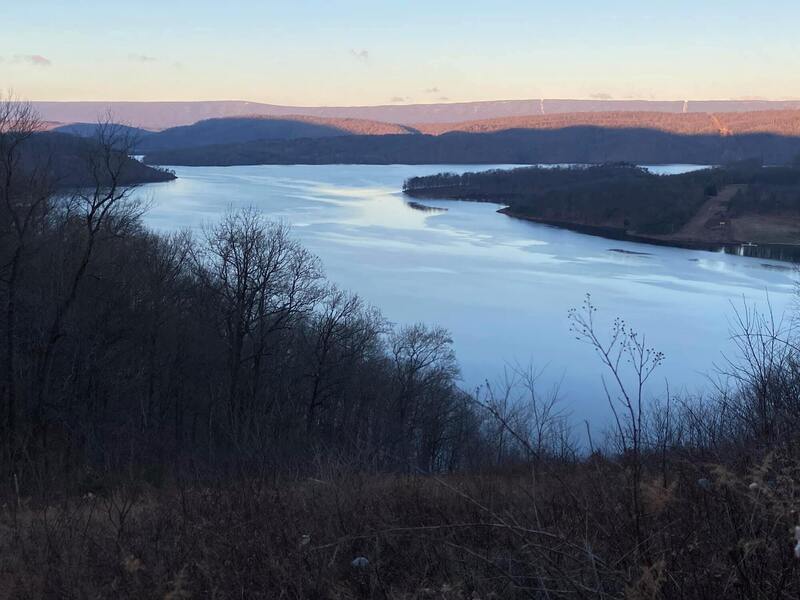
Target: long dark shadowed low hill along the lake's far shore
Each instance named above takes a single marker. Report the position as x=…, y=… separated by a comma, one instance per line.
x=516, y=146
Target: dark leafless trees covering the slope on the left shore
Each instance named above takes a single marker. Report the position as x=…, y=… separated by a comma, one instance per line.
x=135, y=351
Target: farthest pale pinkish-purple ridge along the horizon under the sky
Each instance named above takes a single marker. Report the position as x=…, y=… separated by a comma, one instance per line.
x=161, y=115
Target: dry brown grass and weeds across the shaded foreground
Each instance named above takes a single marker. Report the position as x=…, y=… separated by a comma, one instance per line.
x=568, y=533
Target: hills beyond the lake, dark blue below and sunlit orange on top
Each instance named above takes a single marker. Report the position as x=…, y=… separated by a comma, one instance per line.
x=644, y=137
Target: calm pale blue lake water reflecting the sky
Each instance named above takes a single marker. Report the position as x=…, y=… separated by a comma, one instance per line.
x=501, y=286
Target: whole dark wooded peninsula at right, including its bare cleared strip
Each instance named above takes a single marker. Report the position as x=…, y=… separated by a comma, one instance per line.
x=631, y=200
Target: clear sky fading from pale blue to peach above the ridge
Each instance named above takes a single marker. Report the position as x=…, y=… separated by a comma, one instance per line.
x=329, y=52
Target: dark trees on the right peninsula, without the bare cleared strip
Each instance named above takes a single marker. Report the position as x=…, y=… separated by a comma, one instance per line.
x=619, y=196
